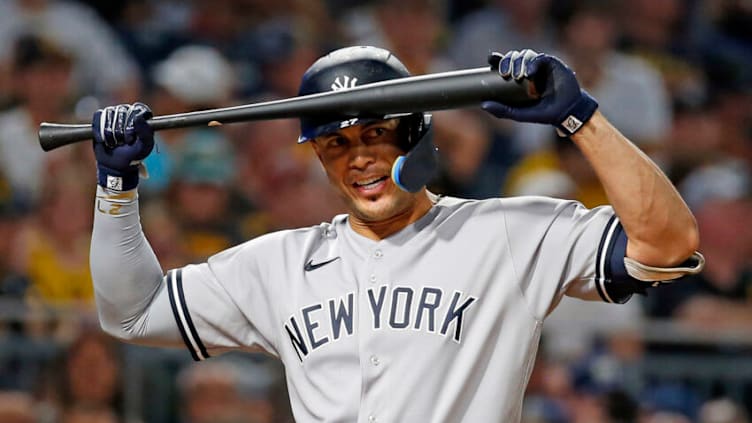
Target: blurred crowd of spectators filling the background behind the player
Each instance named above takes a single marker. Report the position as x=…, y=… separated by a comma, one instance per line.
x=673, y=75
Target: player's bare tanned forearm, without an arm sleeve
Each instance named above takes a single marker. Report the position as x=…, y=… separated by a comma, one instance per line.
x=662, y=230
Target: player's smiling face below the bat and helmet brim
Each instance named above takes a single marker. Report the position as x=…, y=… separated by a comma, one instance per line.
x=358, y=161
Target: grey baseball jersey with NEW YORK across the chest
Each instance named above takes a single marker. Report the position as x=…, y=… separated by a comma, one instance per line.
x=439, y=322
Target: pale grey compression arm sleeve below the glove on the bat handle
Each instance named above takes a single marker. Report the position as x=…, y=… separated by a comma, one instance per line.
x=132, y=302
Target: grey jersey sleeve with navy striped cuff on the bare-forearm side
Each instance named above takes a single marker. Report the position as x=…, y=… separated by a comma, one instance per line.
x=561, y=248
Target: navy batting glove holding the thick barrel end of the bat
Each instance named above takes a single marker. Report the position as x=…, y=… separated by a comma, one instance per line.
x=562, y=102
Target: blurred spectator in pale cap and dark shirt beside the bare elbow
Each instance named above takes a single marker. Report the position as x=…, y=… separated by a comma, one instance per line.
x=720, y=298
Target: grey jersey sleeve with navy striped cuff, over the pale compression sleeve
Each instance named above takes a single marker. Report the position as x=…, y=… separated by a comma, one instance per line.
x=222, y=304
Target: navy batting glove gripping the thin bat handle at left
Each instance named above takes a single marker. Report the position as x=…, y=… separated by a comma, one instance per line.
x=122, y=139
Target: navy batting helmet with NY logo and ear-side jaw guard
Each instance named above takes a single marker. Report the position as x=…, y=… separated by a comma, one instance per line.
x=354, y=66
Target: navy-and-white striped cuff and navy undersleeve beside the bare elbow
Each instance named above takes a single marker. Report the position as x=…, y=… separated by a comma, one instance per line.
x=612, y=281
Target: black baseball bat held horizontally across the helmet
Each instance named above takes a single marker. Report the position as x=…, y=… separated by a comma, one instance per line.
x=437, y=91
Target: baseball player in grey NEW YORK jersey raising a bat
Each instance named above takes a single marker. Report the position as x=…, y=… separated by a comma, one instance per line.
x=411, y=307
